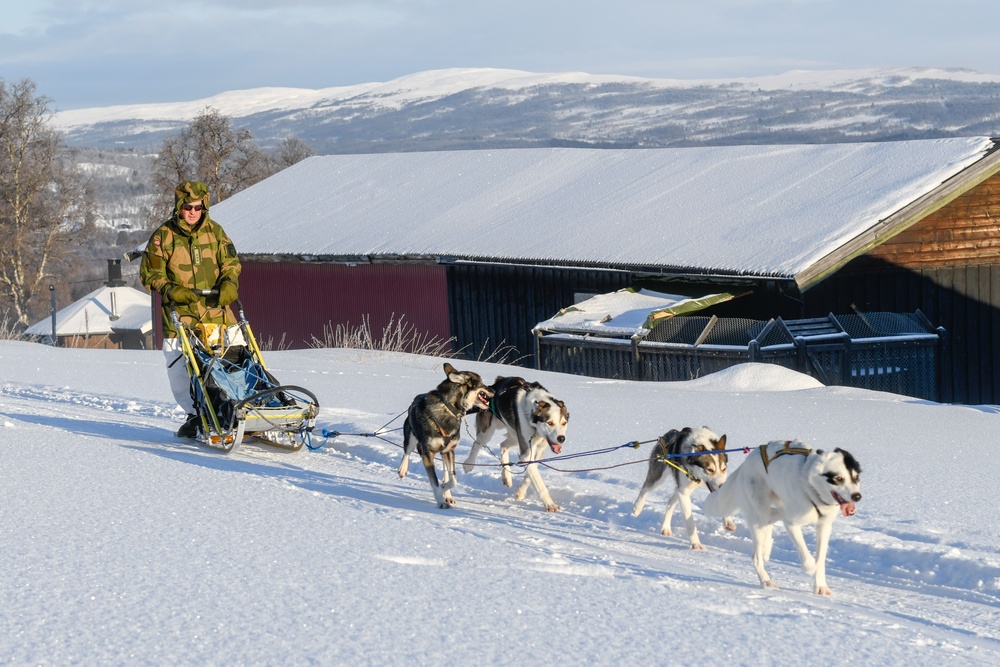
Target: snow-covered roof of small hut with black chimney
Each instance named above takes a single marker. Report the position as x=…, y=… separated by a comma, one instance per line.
x=92, y=314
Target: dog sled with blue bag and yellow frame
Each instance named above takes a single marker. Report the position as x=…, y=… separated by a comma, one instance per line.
x=235, y=395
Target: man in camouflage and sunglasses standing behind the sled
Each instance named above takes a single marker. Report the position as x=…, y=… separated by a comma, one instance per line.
x=190, y=251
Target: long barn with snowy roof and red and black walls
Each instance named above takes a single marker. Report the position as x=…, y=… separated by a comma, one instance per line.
x=477, y=247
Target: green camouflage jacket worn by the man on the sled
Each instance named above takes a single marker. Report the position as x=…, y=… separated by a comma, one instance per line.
x=197, y=257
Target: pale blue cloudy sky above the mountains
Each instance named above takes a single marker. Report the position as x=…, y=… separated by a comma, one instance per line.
x=112, y=52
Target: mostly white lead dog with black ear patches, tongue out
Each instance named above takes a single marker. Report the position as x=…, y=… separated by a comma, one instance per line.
x=787, y=481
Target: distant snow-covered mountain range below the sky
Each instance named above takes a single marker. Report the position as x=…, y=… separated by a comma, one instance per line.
x=491, y=108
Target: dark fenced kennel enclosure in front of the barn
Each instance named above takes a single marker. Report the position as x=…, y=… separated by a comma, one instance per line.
x=894, y=352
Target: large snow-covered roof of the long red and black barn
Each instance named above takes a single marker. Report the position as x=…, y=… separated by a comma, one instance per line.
x=757, y=210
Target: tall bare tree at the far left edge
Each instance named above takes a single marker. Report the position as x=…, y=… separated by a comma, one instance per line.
x=41, y=199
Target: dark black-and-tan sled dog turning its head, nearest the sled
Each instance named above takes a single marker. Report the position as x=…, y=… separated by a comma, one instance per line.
x=433, y=423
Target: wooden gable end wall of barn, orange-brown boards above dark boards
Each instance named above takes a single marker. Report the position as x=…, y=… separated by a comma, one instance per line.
x=948, y=266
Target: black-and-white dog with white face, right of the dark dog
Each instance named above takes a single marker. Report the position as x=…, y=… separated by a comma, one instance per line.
x=534, y=419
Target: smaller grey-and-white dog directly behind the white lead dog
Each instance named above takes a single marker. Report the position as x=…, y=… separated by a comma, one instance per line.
x=692, y=458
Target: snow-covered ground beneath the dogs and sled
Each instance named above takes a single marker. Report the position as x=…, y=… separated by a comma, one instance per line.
x=124, y=545
